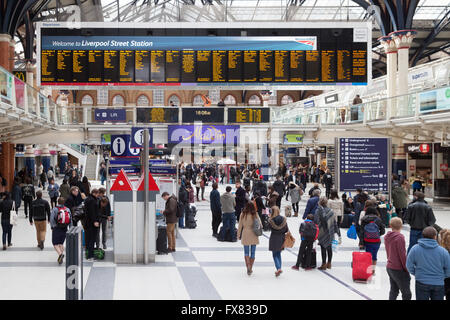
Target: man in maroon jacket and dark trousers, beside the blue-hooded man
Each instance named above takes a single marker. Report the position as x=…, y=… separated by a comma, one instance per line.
x=399, y=277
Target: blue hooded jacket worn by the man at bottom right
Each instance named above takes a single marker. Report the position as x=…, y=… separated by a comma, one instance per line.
x=429, y=262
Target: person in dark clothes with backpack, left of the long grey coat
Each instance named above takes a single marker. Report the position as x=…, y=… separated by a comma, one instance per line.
x=309, y=231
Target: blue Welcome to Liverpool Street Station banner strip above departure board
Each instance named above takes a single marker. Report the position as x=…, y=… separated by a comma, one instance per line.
x=177, y=43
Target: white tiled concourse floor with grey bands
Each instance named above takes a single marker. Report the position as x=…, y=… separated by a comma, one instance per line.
x=215, y=269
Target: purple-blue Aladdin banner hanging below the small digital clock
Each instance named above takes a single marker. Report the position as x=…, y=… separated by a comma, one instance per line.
x=208, y=134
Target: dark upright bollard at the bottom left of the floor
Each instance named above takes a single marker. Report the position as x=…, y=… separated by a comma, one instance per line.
x=74, y=264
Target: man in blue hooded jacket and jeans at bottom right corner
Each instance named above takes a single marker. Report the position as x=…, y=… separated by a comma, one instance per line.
x=430, y=264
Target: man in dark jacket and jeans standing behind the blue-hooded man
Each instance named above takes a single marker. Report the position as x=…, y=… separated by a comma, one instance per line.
x=419, y=215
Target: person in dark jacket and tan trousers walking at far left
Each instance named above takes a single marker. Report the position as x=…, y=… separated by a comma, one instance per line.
x=40, y=215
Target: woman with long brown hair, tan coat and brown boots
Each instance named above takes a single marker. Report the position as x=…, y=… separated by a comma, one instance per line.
x=246, y=234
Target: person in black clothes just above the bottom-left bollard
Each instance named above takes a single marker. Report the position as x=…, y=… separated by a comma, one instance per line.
x=92, y=222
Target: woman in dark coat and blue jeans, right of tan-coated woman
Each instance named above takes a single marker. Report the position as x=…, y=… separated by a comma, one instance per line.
x=278, y=227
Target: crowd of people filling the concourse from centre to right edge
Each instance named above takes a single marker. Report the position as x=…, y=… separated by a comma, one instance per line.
x=254, y=206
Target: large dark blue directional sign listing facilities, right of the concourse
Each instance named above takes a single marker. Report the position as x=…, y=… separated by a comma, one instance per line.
x=363, y=163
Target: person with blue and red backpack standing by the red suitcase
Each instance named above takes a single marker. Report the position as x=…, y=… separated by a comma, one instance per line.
x=372, y=229
